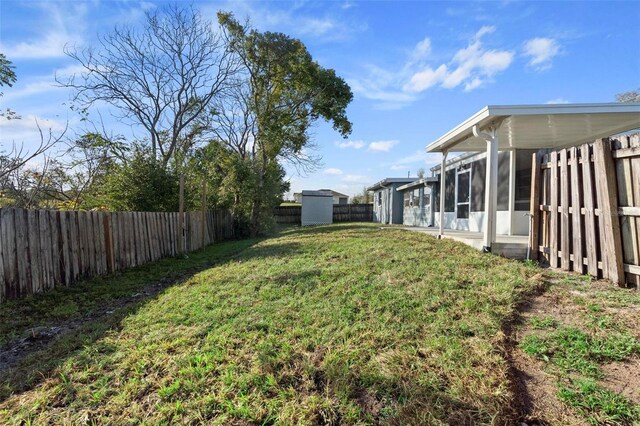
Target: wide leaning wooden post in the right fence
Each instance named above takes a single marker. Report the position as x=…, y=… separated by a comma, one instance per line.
x=612, y=256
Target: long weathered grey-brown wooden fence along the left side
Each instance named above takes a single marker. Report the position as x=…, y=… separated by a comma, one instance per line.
x=42, y=249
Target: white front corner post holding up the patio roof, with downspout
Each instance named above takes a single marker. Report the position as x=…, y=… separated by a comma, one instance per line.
x=491, y=185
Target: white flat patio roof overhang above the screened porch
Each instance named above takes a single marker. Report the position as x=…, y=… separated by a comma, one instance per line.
x=541, y=126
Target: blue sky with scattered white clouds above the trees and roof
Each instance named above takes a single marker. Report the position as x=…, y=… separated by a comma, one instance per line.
x=416, y=68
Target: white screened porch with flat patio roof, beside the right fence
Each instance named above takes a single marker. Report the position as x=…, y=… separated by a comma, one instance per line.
x=487, y=189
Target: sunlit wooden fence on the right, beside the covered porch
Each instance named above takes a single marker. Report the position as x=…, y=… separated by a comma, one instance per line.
x=585, y=207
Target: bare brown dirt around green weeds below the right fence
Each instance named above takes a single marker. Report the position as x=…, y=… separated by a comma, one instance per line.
x=535, y=389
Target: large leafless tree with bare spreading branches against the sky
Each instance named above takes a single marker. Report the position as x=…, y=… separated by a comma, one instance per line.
x=162, y=77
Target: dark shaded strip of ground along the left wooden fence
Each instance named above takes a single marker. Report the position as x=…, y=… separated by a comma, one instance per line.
x=41, y=332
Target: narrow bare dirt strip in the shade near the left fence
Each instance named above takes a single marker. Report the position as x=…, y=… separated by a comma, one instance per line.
x=38, y=338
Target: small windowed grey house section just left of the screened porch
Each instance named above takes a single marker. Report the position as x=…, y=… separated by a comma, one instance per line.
x=417, y=202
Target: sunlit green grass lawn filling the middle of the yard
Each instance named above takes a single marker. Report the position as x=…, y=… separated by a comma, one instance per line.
x=341, y=324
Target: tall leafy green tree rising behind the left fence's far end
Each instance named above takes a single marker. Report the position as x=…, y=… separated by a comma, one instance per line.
x=265, y=121
